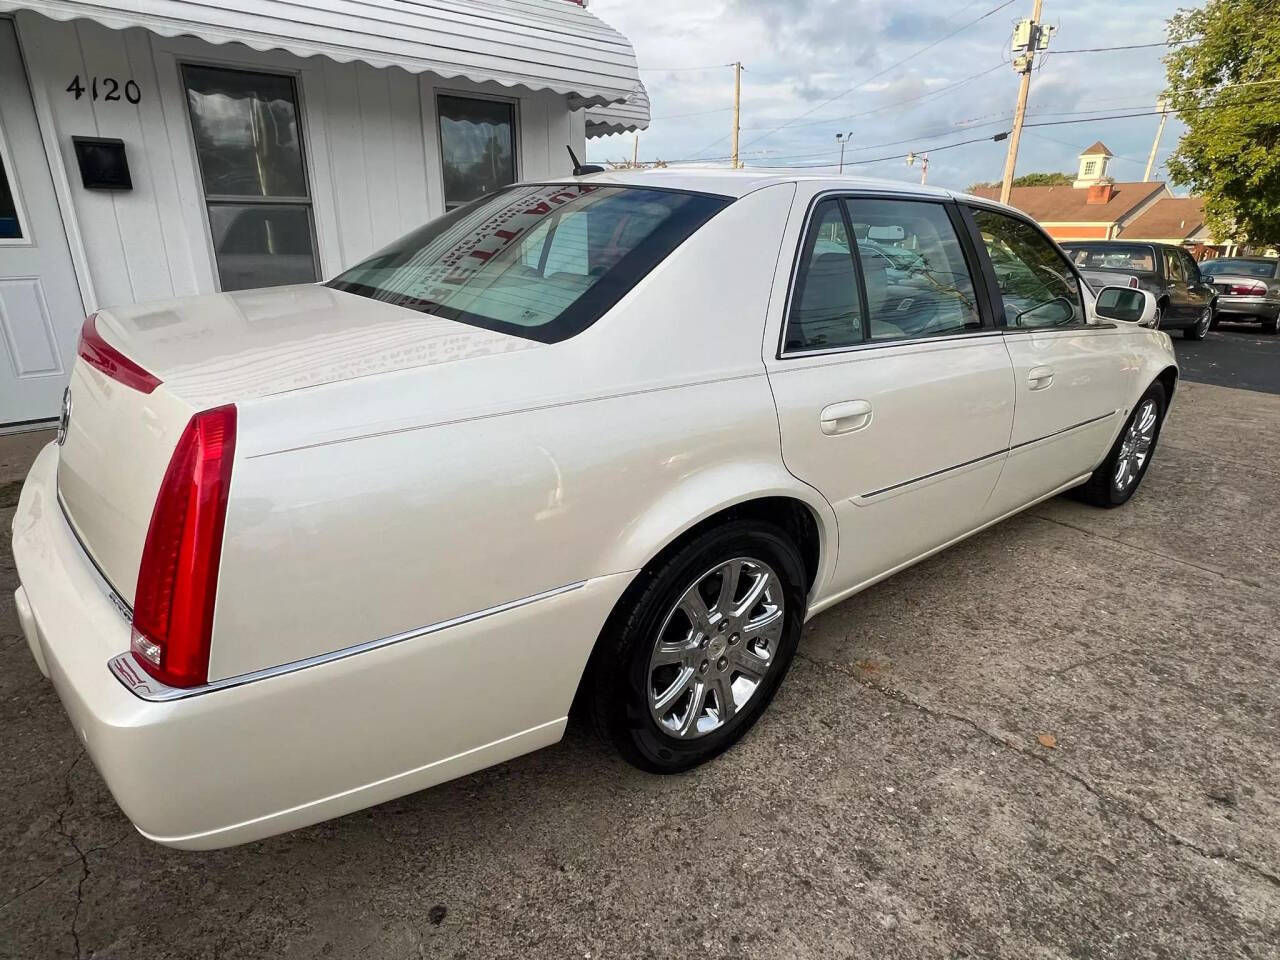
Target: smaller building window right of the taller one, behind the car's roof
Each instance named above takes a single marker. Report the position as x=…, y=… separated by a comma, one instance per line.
x=478, y=148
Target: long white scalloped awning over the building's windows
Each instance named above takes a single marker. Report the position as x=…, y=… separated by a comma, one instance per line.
x=551, y=45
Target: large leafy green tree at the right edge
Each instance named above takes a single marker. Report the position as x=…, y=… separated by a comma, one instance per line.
x=1223, y=85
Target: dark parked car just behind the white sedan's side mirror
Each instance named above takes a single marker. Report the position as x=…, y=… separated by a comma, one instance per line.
x=1187, y=300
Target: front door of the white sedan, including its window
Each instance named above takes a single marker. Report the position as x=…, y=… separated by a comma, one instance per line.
x=1072, y=374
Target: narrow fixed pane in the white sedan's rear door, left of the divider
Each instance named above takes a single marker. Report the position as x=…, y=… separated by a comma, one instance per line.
x=828, y=307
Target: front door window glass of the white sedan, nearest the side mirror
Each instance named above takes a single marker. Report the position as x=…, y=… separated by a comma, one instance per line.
x=1036, y=282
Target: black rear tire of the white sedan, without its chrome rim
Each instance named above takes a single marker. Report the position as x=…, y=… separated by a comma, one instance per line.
x=616, y=687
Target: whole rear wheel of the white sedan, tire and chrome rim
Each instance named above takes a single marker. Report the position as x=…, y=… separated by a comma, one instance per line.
x=698, y=650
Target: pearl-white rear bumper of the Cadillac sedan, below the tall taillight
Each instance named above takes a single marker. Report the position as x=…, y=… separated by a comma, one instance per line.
x=243, y=764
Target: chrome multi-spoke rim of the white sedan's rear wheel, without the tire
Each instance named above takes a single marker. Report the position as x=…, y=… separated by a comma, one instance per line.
x=716, y=647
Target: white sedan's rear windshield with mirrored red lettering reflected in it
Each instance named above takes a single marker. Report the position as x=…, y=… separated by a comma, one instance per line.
x=540, y=262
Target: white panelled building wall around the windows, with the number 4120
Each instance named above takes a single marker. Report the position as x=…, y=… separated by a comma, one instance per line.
x=372, y=145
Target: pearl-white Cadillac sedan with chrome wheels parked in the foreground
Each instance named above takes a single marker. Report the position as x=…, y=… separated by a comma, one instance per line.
x=609, y=441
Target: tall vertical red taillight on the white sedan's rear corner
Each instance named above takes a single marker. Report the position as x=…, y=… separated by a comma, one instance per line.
x=173, y=609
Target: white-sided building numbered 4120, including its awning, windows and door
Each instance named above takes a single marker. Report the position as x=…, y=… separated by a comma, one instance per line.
x=264, y=143
